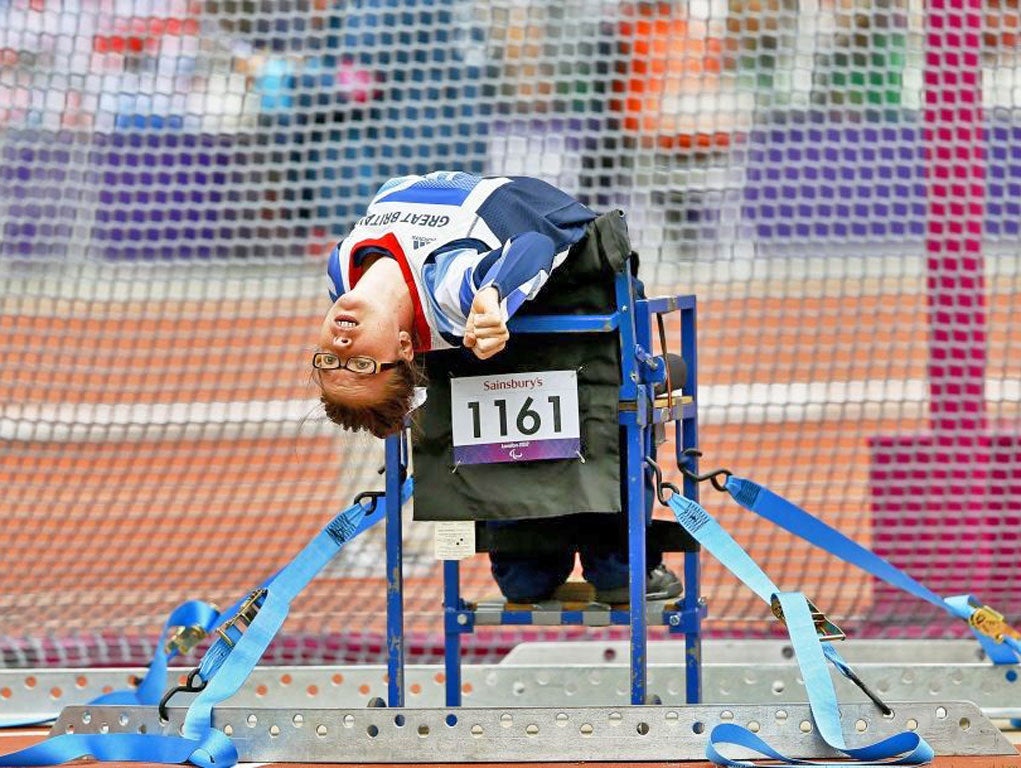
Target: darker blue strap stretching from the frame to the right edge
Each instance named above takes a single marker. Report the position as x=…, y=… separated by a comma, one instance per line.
x=1006, y=650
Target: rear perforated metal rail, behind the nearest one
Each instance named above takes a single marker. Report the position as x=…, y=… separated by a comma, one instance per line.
x=562, y=675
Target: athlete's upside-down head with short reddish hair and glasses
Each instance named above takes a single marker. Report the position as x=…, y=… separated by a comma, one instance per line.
x=363, y=366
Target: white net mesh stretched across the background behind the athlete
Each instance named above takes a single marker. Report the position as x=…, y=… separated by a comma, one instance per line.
x=838, y=182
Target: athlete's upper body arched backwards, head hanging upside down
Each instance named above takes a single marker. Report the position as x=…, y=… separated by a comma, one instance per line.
x=437, y=261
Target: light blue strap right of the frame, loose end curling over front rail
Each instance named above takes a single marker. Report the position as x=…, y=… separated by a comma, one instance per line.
x=904, y=749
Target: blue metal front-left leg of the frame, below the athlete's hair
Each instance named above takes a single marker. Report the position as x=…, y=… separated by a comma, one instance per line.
x=395, y=574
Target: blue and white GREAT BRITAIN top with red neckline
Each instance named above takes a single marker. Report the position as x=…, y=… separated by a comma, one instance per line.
x=455, y=234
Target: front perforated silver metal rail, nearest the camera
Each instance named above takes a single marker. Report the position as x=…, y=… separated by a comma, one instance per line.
x=627, y=733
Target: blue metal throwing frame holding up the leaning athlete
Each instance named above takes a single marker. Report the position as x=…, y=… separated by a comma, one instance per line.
x=633, y=321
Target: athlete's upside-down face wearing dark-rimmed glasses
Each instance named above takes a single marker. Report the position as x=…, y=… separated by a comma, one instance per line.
x=356, y=327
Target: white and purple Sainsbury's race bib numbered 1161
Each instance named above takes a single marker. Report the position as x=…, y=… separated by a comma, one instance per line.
x=515, y=417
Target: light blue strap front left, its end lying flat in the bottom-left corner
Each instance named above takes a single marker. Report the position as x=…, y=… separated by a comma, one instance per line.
x=227, y=665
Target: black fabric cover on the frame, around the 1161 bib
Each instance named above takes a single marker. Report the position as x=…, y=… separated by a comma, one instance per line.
x=582, y=285
